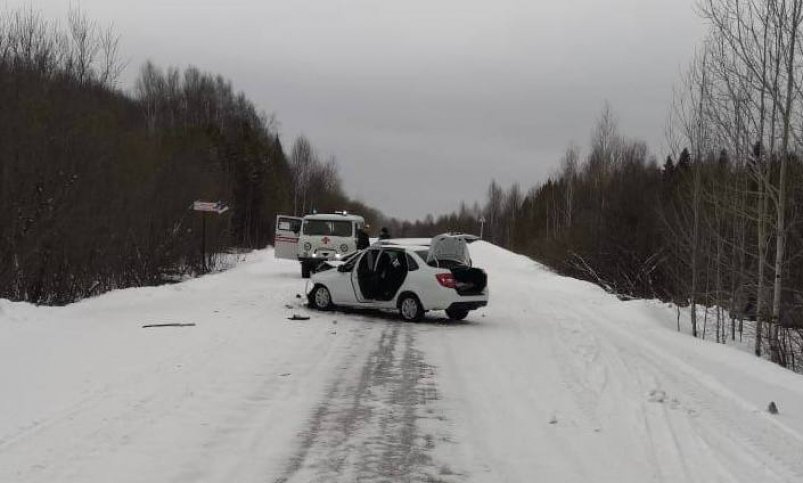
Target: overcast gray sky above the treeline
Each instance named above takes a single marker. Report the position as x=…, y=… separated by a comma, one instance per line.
x=423, y=102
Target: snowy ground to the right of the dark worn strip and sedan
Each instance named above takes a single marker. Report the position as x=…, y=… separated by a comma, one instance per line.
x=560, y=381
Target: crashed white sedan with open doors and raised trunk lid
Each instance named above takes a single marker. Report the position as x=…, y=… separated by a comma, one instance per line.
x=412, y=279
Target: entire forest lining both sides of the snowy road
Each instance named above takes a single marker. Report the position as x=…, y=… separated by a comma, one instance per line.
x=96, y=183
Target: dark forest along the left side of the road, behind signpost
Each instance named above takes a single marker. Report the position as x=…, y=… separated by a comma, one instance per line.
x=96, y=184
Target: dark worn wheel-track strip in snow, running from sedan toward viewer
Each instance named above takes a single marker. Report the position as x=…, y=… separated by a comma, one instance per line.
x=366, y=428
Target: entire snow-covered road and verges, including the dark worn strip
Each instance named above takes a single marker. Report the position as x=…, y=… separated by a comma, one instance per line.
x=556, y=381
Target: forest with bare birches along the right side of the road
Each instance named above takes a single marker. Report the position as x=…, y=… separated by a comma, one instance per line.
x=717, y=225
